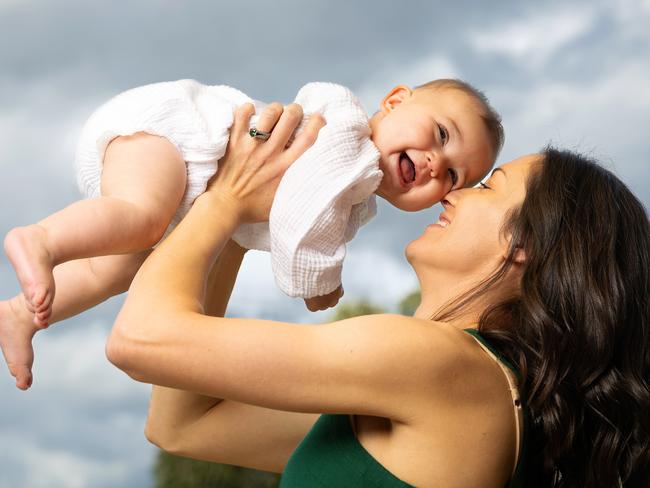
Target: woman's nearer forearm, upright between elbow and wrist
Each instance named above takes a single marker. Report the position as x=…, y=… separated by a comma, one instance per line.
x=169, y=289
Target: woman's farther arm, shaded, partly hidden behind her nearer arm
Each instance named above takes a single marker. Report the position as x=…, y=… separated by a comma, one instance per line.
x=225, y=431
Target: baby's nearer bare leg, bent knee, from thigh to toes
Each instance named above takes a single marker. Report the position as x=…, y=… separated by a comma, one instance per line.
x=143, y=182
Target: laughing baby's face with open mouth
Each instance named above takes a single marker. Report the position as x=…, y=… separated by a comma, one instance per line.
x=431, y=142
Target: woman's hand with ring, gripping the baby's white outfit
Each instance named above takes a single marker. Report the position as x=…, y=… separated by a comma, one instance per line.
x=251, y=169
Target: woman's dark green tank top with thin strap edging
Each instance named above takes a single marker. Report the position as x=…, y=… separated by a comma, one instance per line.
x=330, y=455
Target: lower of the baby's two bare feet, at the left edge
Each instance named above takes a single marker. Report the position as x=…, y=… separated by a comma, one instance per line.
x=16, y=332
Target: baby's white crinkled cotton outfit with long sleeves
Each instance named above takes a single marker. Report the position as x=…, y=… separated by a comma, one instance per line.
x=322, y=200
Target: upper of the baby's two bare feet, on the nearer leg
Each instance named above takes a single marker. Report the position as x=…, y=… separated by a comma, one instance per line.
x=26, y=249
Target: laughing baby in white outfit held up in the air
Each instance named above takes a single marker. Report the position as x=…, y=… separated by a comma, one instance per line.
x=418, y=146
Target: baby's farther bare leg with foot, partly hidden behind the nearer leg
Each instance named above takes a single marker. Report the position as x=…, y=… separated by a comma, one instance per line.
x=82, y=284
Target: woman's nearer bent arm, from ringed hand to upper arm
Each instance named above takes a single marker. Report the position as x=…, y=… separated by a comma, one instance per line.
x=374, y=365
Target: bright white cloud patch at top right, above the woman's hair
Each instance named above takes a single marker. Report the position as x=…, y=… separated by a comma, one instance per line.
x=537, y=37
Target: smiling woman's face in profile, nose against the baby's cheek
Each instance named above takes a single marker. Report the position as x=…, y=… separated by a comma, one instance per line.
x=467, y=240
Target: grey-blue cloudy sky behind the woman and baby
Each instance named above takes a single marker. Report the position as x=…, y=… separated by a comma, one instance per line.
x=567, y=72
